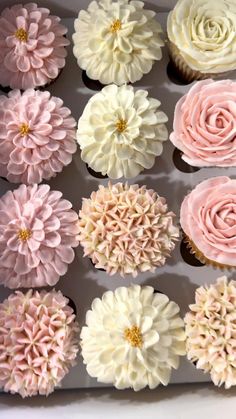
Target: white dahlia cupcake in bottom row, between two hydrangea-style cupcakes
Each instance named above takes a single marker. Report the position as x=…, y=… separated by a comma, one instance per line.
x=133, y=338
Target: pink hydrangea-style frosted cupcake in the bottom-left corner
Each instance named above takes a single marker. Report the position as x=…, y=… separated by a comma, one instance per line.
x=38, y=342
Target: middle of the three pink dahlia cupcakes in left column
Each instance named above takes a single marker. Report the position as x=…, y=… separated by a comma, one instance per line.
x=37, y=136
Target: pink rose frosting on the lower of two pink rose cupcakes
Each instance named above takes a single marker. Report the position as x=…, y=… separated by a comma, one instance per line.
x=208, y=216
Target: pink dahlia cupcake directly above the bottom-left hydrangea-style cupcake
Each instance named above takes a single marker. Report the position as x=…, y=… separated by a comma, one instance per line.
x=38, y=230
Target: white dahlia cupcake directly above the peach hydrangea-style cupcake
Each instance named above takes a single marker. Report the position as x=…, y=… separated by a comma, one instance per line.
x=121, y=131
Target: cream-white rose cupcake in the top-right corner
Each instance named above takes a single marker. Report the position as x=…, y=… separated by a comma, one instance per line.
x=202, y=38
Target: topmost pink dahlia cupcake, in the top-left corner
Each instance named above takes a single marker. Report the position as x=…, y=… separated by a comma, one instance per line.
x=32, y=46
